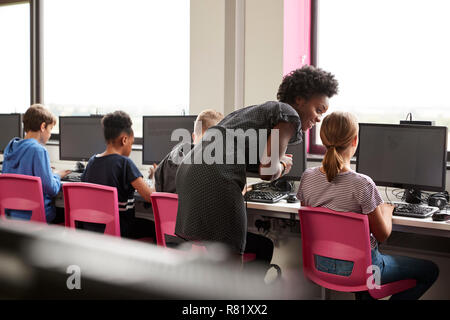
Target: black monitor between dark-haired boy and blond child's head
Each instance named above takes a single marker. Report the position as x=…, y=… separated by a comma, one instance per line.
x=156, y=138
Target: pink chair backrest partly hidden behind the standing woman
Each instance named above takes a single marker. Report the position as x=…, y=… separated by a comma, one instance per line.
x=165, y=206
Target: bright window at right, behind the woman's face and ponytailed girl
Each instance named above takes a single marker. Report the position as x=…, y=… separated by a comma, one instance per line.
x=390, y=58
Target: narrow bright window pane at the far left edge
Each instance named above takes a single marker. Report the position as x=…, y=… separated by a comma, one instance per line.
x=14, y=57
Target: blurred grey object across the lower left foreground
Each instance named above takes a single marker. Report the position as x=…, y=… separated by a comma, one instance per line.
x=51, y=262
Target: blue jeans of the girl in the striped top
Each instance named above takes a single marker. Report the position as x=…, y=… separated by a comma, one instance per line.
x=393, y=268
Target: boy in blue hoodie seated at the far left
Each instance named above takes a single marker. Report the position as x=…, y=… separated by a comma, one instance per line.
x=28, y=156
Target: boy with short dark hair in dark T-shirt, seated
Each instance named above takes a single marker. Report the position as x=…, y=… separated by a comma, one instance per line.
x=114, y=168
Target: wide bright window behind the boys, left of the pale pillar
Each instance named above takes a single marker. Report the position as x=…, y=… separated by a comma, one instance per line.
x=105, y=55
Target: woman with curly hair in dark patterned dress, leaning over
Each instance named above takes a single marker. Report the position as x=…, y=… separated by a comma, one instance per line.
x=211, y=205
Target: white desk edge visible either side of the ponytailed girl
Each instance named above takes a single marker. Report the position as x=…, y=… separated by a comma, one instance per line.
x=282, y=209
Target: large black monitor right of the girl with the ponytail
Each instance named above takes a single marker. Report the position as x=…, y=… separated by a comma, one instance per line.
x=403, y=156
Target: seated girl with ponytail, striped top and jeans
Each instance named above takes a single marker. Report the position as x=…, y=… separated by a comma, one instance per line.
x=336, y=186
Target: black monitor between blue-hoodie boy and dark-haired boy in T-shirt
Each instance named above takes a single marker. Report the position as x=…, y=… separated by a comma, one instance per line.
x=80, y=138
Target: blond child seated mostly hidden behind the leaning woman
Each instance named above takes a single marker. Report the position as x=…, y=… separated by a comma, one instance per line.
x=166, y=171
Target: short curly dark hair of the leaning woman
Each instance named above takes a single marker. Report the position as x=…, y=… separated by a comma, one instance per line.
x=306, y=82
